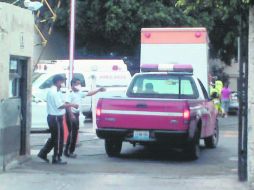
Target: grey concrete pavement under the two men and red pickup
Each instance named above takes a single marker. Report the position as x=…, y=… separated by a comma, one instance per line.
x=94, y=170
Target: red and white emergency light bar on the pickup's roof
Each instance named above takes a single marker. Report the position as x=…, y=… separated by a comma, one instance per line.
x=166, y=68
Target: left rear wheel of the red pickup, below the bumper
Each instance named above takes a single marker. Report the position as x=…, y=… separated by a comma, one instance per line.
x=113, y=147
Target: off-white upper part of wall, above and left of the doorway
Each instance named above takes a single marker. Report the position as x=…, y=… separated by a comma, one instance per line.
x=16, y=38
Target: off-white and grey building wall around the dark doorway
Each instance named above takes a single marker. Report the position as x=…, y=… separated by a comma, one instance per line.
x=16, y=39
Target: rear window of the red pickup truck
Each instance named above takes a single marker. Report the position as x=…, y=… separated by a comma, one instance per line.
x=163, y=86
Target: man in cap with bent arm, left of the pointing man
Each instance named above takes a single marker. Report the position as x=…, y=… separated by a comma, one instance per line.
x=56, y=107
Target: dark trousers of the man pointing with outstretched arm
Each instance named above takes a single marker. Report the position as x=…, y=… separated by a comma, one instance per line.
x=73, y=127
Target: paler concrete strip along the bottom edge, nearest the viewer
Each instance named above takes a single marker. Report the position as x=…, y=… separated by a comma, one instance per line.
x=48, y=181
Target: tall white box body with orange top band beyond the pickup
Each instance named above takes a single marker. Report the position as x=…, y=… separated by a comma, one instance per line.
x=177, y=46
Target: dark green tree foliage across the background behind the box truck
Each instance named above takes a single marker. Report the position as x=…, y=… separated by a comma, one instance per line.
x=105, y=26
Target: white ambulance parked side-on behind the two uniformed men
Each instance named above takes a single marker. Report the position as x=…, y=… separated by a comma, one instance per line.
x=111, y=74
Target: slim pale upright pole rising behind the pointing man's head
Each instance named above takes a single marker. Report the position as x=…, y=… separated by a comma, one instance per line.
x=72, y=38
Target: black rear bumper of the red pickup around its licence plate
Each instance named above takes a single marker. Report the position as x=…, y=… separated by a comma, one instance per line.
x=155, y=136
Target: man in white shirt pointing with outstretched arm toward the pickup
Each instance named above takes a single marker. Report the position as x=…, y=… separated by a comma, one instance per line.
x=72, y=116
